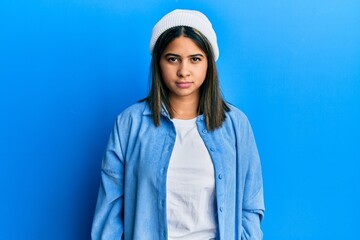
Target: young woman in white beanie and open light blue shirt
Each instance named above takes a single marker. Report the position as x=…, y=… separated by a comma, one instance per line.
x=183, y=163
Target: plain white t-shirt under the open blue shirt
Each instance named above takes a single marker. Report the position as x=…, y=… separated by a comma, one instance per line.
x=190, y=188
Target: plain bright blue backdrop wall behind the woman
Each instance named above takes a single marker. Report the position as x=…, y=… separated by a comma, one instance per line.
x=67, y=68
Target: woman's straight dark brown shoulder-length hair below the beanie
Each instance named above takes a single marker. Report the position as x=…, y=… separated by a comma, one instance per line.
x=211, y=103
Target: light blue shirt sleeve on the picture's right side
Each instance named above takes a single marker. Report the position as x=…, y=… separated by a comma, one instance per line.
x=253, y=198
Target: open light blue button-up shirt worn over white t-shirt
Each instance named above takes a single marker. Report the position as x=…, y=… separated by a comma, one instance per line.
x=132, y=197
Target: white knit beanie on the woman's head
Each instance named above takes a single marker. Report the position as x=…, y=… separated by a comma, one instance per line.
x=189, y=18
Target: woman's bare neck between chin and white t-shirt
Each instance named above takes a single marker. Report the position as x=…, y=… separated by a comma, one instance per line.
x=184, y=108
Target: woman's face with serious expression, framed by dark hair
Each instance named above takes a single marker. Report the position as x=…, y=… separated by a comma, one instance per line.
x=183, y=68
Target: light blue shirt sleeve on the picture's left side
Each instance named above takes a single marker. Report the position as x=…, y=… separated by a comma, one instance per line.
x=108, y=220
